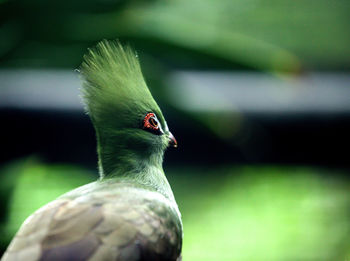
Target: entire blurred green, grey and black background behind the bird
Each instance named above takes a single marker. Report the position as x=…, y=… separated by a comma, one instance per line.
x=256, y=92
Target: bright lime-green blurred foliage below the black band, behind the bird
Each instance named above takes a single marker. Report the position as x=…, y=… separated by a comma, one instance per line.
x=229, y=213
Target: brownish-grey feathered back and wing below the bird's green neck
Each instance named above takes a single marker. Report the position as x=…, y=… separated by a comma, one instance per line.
x=100, y=228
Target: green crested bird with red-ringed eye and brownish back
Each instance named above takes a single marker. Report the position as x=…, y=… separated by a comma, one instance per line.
x=129, y=212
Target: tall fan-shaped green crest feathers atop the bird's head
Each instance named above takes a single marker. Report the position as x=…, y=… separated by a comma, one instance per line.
x=114, y=90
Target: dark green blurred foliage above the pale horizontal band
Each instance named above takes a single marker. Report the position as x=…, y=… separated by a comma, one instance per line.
x=270, y=35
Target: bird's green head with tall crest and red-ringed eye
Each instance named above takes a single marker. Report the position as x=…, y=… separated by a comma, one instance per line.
x=130, y=127
